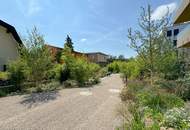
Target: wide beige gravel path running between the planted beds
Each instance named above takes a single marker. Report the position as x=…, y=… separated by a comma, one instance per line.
x=69, y=109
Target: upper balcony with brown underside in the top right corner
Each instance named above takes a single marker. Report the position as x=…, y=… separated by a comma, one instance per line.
x=183, y=12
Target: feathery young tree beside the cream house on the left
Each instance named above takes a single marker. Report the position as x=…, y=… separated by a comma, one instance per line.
x=36, y=56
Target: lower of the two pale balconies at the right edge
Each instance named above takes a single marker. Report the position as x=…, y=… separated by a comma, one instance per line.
x=183, y=38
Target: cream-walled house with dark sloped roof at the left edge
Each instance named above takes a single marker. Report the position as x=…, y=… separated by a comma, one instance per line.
x=9, y=42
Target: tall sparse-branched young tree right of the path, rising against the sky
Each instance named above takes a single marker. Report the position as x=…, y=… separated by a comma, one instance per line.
x=149, y=41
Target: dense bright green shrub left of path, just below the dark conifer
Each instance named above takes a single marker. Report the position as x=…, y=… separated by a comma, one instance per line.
x=79, y=69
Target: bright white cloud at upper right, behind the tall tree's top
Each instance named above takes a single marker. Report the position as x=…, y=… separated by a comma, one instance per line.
x=162, y=11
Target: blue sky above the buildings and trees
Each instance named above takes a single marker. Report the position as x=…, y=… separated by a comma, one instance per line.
x=94, y=25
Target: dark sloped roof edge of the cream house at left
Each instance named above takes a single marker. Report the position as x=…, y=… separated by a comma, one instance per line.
x=11, y=30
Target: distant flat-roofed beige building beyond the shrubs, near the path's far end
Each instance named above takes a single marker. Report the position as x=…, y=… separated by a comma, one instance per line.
x=98, y=57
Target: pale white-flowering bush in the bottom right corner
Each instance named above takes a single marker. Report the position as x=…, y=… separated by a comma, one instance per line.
x=177, y=118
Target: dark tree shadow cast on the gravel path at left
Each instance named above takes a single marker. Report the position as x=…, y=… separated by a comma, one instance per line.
x=36, y=99
